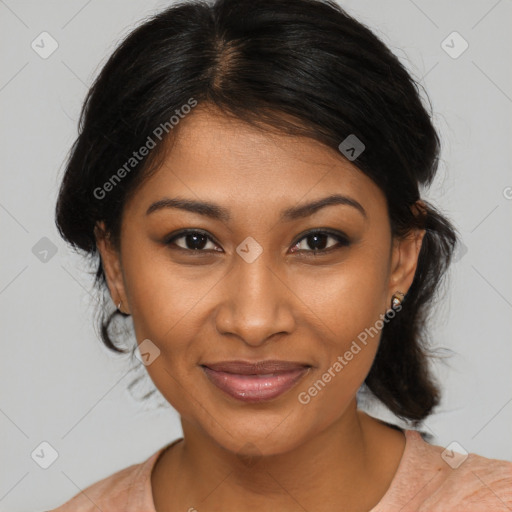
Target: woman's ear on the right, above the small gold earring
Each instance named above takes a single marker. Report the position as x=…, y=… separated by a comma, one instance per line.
x=404, y=258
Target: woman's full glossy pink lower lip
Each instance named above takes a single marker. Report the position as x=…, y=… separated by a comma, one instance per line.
x=255, y=388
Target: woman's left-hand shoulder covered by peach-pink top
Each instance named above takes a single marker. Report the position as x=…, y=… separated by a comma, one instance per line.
x=128, y=489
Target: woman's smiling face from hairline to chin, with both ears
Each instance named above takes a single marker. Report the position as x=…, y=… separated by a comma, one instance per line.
x=253, y=288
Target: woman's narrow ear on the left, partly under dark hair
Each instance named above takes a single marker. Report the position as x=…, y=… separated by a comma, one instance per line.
x=111, y=262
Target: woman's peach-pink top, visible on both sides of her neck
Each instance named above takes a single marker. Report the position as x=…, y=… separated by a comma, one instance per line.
x=423, y=482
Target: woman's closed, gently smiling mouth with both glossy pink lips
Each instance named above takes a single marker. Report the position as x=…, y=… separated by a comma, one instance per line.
x=255, y=382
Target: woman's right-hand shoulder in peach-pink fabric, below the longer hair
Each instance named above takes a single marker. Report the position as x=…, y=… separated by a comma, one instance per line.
x=433, y=478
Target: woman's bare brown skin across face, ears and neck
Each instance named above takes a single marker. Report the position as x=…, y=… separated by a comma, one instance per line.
x=213, y=306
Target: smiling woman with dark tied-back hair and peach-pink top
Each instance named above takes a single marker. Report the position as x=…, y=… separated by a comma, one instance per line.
x=249, y=174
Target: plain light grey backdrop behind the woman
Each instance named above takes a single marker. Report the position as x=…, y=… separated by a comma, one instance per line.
x=58, y=383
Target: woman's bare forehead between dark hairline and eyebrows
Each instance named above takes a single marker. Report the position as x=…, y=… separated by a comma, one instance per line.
x=228, y=161
